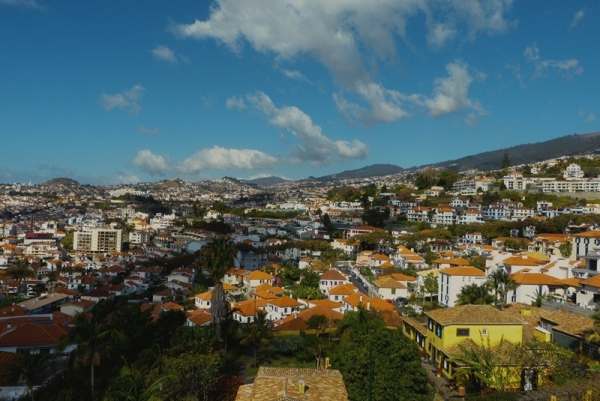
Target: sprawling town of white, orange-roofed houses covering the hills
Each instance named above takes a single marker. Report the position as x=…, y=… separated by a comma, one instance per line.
x=452, y=264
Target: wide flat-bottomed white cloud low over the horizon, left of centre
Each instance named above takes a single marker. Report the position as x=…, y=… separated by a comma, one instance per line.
x=218, y=158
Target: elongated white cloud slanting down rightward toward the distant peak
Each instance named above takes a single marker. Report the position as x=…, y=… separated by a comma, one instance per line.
x=314, y=147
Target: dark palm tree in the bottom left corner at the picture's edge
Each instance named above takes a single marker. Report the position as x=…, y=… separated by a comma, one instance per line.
x=26, y=367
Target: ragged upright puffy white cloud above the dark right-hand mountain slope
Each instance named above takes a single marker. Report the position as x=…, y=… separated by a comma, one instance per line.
x=451, y=94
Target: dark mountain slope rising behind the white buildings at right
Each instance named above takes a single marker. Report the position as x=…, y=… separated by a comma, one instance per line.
x=528, y=153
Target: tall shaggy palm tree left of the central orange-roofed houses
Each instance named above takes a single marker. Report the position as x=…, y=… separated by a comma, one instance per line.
x=217, y=257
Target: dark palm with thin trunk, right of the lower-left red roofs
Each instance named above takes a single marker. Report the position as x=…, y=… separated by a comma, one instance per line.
x=92, y=340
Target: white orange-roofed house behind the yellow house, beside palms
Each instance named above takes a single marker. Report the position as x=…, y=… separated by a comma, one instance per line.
x=452, y=280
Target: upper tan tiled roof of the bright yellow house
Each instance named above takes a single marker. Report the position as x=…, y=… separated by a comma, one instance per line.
x=472, y=314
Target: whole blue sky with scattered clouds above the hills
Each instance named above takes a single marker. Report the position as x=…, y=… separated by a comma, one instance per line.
x=113, y=91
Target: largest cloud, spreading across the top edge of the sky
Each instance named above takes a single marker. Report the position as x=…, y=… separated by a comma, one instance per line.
x=336, y=34
